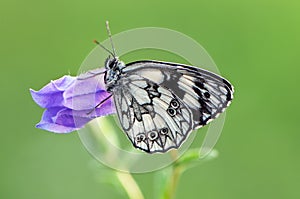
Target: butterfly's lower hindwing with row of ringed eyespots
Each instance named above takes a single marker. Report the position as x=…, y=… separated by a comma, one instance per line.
x=152, y=116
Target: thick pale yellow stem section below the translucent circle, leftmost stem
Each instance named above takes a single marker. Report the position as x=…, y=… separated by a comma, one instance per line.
x=130, y=186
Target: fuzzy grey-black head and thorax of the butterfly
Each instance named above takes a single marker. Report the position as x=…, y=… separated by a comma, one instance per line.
x=113, y=72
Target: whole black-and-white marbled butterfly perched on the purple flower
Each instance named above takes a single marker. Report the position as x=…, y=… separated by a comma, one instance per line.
x=159, y=103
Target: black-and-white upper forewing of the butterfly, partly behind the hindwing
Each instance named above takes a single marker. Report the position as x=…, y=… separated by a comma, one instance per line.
x=206, y=94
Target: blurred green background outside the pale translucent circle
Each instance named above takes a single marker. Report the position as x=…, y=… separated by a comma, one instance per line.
x=254, y=43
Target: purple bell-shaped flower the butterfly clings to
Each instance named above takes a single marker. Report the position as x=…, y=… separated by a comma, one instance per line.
x=70, y=101
